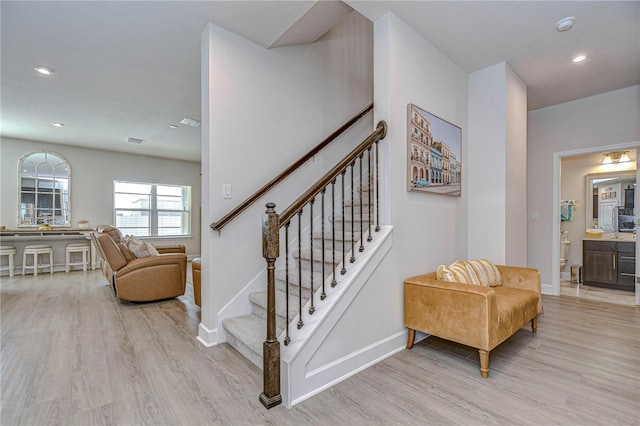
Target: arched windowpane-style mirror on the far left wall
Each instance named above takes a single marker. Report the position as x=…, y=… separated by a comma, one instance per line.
x=43, y=190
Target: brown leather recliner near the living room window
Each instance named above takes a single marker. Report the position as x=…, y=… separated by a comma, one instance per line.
x=159, y=276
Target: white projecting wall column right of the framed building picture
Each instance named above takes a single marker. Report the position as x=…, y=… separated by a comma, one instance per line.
x=497, y=175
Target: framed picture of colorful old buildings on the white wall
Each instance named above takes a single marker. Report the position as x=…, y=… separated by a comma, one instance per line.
x=434, y=153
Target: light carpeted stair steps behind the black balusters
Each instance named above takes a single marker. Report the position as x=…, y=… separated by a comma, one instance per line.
x=246, y=333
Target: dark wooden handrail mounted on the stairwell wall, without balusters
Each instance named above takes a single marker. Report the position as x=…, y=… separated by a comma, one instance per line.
x=218, y=225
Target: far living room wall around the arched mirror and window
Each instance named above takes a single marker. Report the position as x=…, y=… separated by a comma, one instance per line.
x=92, y=175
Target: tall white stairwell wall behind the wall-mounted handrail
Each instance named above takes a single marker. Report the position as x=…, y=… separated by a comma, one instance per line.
x=262, y=110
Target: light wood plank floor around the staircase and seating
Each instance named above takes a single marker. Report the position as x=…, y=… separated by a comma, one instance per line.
x=73, y=354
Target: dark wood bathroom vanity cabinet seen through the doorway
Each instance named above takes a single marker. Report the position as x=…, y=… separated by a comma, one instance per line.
x=609, y=263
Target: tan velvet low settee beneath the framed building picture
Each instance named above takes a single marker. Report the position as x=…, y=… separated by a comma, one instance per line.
x=480, y=316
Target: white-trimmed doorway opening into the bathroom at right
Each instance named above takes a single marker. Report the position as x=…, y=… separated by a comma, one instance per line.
x=572, y=185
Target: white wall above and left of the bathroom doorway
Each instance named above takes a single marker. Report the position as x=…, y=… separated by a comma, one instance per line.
x=597, y=121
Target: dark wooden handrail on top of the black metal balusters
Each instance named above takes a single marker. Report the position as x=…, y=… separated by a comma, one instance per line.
x=304, y=199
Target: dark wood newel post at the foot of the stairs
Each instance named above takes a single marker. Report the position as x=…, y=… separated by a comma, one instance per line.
x=270, y=396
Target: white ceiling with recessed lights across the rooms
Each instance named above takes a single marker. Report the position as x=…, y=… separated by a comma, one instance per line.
x=130, y=69
